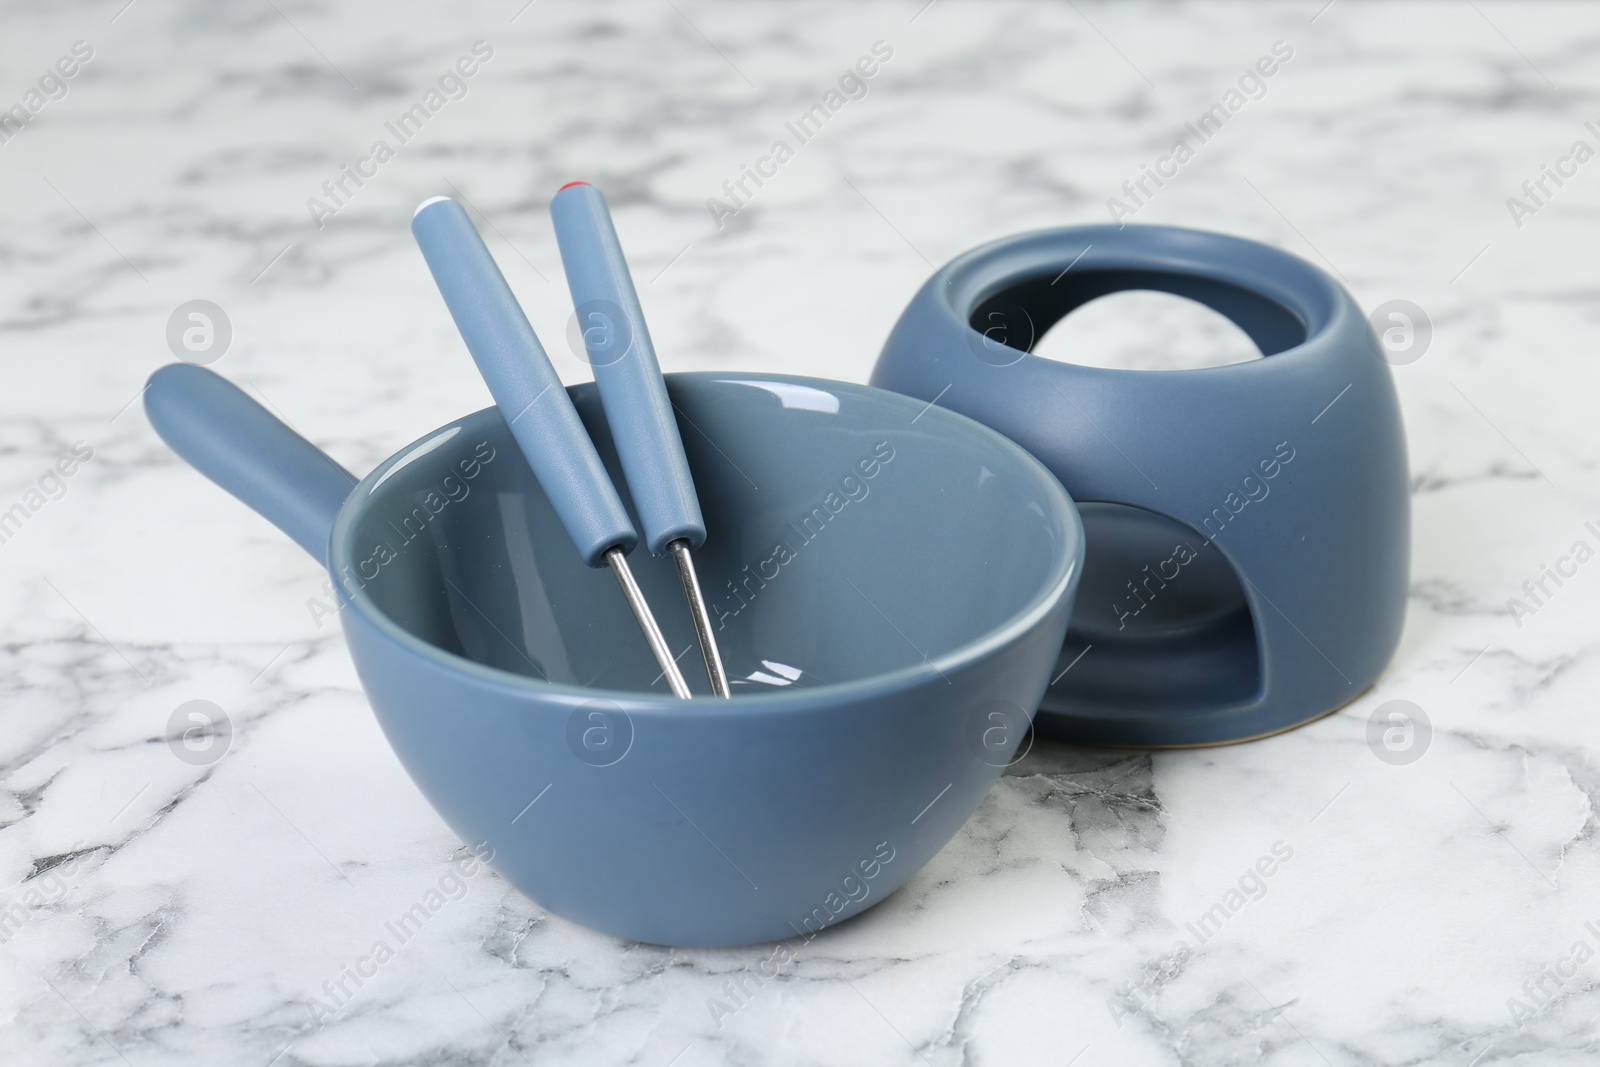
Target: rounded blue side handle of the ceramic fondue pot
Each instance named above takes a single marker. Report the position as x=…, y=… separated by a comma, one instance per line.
x=242, y=447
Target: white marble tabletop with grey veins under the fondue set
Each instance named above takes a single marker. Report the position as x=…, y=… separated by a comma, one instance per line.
x=194, y=911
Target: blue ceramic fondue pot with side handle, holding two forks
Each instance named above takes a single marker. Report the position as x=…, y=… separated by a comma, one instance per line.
x=892, y=585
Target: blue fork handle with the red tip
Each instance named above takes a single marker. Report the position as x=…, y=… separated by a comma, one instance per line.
x=633, y=393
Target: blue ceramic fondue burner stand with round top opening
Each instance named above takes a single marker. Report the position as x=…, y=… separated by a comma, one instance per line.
x=1247, y=526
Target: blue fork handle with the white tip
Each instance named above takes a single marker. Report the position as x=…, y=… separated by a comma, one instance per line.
x=524, y=383
